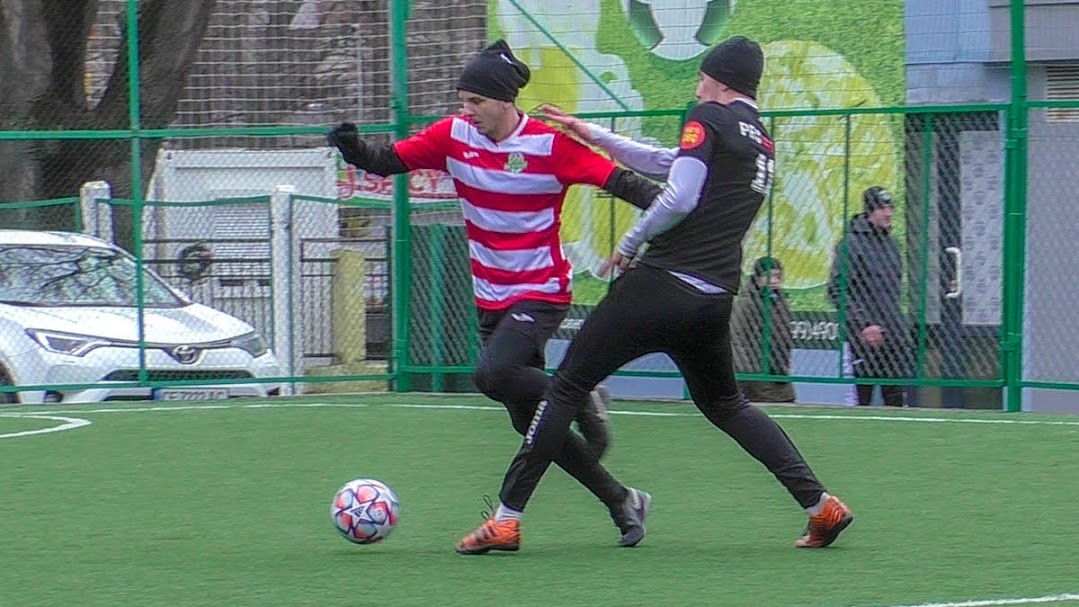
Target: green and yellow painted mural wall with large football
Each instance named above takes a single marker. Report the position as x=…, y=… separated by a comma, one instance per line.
x=633, y=56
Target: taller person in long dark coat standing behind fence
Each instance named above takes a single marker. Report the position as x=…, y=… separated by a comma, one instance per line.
x=867, y=286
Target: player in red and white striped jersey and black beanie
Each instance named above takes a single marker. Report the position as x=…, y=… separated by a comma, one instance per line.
x=512, y=173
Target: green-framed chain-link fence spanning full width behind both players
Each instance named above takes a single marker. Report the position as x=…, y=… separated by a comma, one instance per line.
x=305, y=274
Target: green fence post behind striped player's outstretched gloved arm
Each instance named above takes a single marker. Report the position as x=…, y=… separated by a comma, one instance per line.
x=403, y=232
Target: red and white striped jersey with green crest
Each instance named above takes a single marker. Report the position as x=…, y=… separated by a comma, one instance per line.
x=512, y=195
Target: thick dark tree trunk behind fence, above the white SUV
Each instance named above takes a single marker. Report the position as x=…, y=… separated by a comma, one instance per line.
x=44, y=45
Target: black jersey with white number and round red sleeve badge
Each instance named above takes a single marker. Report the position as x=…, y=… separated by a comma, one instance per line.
x=740, y=156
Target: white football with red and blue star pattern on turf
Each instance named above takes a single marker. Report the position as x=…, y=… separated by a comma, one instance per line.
x=365, y=512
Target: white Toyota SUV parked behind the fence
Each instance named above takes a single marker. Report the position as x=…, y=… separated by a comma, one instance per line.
x=70, y=329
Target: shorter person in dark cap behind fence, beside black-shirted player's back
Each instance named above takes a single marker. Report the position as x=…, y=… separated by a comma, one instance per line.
x=762, y=319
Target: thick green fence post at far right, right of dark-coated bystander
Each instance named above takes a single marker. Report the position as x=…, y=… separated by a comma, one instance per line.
x=1015, y=254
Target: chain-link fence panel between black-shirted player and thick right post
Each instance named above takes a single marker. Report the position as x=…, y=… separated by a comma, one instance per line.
x=891, y=274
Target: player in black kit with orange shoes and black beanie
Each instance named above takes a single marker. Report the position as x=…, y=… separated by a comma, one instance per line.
x=677, y=299
